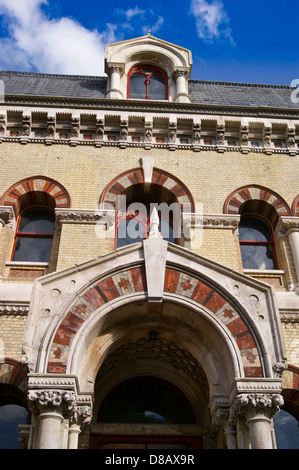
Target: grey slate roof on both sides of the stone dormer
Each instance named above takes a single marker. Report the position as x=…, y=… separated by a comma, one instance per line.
x=201, y=92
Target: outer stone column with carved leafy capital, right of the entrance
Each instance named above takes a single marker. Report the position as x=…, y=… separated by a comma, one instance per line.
x=258, y=411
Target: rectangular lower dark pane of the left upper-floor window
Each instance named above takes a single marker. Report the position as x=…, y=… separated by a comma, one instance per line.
x=32, y=249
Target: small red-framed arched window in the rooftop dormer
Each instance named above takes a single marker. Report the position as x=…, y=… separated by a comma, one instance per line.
x=147, y=82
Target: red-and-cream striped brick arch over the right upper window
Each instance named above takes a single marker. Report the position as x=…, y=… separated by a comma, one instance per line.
x=256, y=194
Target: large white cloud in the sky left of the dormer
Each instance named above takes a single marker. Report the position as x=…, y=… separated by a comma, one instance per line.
x=38, y=43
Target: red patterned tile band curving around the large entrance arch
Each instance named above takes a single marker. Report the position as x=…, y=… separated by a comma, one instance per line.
x=134, y=281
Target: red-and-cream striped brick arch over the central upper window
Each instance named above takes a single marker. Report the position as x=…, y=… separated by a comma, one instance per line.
x=167, y=183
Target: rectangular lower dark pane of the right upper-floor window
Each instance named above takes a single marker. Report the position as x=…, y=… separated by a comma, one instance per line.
x=258, y=256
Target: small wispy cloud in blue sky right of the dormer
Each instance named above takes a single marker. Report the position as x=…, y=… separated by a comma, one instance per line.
x=212, y=21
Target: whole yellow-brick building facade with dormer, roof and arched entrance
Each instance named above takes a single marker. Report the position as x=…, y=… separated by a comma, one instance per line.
x=149, y=255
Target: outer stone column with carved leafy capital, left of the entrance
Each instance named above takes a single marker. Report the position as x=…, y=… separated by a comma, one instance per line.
x=51, y=407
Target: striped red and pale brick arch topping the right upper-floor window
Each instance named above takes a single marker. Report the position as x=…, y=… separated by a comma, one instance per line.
x=257, y=199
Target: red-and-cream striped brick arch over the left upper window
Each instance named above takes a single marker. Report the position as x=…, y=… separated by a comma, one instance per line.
x=37, y=190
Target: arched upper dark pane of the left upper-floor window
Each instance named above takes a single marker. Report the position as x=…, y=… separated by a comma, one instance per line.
x=37, y=221
